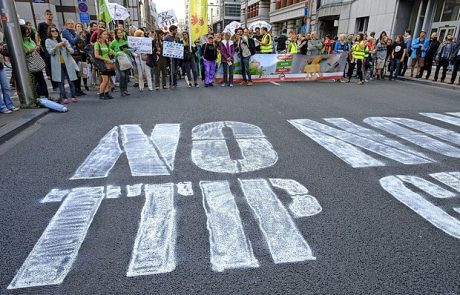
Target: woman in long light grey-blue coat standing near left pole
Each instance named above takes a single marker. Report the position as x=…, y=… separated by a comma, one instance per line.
x=62, y=64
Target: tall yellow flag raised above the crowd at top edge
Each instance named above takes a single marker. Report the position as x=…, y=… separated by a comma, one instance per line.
x=198, y=19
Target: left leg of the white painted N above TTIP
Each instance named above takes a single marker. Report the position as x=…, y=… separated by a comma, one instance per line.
x=101, y=159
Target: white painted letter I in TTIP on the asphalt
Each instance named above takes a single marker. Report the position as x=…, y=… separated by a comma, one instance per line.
x=229, y=246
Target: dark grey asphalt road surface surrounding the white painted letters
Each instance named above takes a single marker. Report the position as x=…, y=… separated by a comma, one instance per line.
x=364, y=240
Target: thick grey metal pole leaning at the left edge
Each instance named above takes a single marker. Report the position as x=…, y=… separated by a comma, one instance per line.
x=14, y=41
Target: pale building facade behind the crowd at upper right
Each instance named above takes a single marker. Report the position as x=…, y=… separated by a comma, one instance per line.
x=352, y=16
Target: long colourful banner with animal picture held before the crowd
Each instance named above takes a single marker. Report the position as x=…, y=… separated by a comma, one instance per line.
x=290, y=67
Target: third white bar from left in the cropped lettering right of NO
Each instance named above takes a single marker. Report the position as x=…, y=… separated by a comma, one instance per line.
x=417, y=138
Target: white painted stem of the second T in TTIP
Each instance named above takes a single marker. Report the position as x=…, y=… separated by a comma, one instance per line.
x=155, y=243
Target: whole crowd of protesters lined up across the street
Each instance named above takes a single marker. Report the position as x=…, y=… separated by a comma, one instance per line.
x=77, y=55
